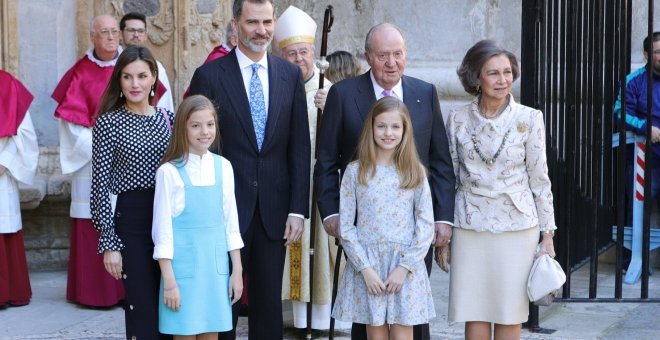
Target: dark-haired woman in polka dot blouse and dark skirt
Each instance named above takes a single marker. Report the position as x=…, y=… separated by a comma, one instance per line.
x=129, y=139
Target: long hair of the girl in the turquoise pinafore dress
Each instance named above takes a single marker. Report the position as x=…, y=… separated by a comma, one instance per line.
x=177, y=150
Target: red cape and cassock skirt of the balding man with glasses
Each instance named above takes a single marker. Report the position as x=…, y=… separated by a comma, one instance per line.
x=79, y=94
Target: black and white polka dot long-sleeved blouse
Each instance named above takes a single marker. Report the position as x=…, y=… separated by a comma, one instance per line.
x=126, y=151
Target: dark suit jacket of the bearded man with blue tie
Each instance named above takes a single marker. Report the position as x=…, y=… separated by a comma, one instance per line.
x=278, y=175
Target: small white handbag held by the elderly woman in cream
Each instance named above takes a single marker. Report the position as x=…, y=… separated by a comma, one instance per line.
x=545, y=279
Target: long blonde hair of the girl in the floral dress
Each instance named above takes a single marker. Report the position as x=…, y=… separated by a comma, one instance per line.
x=410, y=169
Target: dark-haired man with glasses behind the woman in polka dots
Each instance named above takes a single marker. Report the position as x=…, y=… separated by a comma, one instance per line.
x=133, y=28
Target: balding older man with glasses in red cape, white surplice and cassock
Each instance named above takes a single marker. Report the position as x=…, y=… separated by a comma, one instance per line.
x=78, y=95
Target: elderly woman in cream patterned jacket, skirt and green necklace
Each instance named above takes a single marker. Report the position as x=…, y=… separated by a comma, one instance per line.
x=503, y=197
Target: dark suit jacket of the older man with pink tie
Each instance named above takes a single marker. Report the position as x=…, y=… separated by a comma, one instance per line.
x=346, y=108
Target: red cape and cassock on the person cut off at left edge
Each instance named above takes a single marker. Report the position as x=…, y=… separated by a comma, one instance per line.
x=15, y=287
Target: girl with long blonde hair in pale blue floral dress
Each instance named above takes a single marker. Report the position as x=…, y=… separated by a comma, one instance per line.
x=386, y=228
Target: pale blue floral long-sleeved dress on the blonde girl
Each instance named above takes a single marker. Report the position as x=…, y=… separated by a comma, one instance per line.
x=394, y=228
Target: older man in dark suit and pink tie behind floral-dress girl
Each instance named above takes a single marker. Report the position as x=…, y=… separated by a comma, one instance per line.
x=345, y=110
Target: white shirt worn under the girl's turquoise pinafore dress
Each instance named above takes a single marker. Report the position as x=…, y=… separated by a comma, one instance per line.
x=170, y=201
